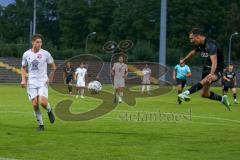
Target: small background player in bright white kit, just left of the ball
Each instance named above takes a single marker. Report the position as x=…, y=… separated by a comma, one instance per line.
x=81, y=78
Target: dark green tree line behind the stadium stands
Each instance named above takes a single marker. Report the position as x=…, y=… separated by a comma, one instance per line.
x=66, y=23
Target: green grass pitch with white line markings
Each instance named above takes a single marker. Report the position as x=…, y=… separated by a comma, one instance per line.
x=211, y=133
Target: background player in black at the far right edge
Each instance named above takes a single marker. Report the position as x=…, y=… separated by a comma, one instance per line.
x=230, y=82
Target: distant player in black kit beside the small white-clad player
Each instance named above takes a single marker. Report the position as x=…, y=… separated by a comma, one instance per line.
x=68, y=74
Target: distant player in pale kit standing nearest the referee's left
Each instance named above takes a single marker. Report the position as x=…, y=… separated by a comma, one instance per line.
x=146, y=74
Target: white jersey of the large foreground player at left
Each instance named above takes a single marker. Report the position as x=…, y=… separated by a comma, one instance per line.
x=37, y=66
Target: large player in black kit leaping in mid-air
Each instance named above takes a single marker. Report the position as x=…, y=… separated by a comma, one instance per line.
x=213, y=64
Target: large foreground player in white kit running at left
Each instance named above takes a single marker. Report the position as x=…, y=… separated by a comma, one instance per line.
x=36, y=60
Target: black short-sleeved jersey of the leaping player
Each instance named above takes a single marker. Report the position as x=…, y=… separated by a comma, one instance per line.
x=210, y=47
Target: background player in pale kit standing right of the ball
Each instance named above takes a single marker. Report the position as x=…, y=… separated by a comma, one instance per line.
x=120, y=72
